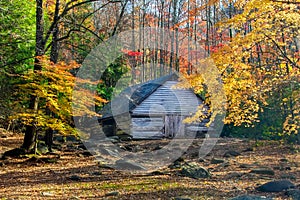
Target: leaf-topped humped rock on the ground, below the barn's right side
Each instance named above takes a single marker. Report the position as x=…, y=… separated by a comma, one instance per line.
x=192, y=170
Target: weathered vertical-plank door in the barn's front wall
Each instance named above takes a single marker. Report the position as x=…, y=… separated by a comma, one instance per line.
x=174, y=126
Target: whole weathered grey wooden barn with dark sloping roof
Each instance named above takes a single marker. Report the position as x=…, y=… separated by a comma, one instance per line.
x=153, y=109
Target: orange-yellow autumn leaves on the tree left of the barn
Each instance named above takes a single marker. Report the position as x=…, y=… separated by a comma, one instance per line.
x=54, y=85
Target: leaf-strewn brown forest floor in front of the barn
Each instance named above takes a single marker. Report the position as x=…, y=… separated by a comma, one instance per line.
x=72, y=173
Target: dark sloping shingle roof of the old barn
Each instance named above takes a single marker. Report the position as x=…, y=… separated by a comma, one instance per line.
x=133, y=96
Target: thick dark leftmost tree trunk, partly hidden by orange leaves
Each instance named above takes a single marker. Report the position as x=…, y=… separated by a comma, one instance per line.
x=30, y=132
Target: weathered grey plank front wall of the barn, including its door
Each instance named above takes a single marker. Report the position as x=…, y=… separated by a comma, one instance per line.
x=163, y=112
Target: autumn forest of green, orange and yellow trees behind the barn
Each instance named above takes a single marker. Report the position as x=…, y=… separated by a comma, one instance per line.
x=253, y=43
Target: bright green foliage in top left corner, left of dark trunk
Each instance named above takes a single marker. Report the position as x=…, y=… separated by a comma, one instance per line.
x=17, y=29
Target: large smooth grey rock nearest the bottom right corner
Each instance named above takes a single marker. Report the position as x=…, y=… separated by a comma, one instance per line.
x=276, y=186
